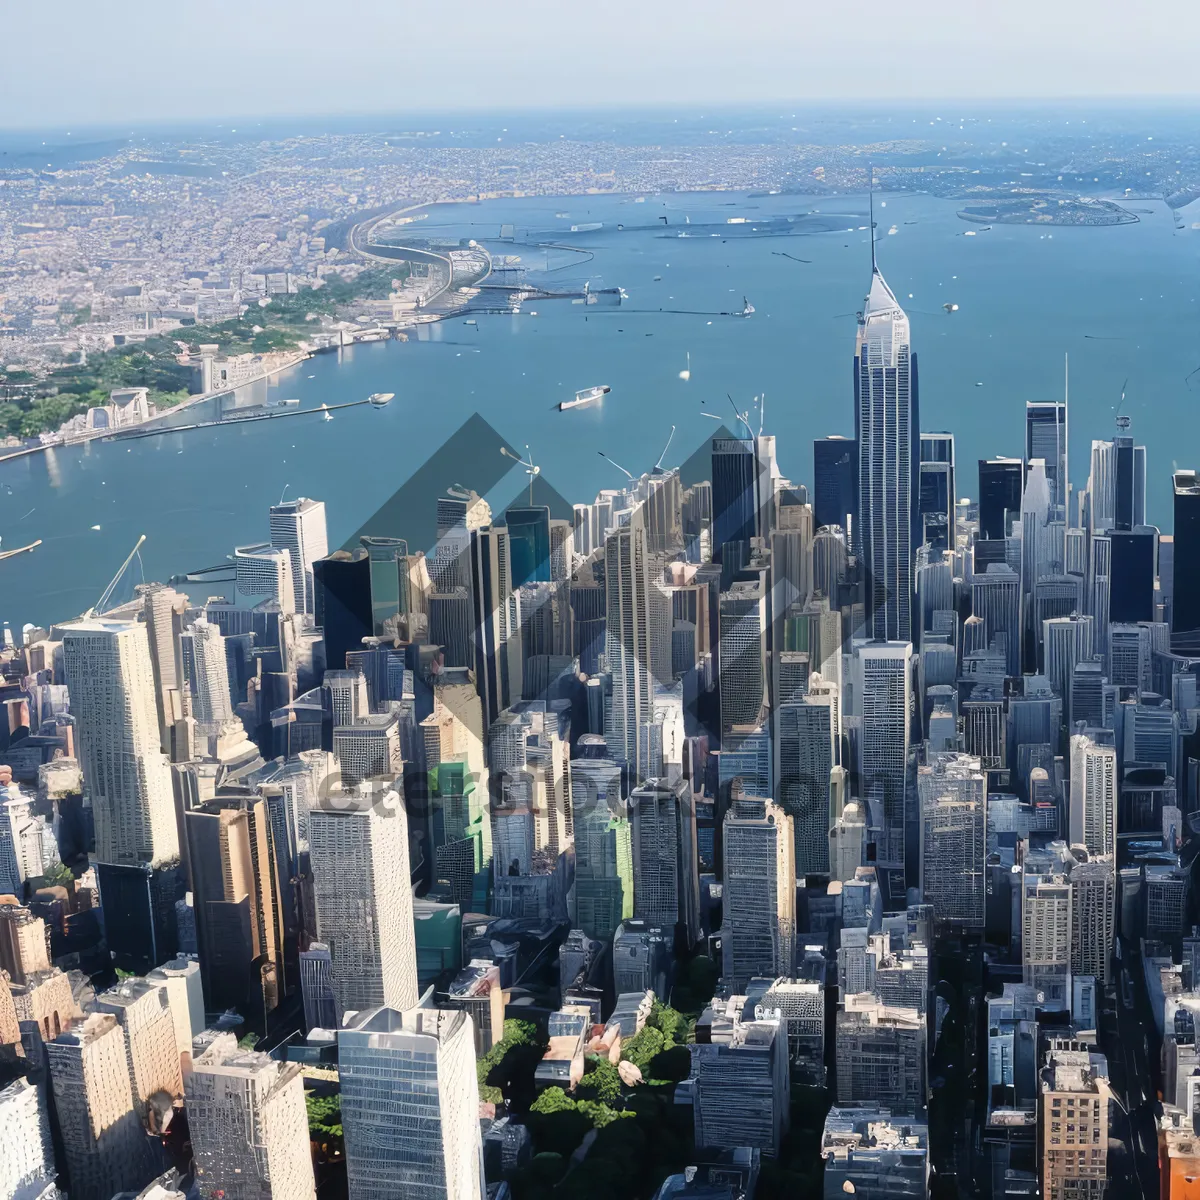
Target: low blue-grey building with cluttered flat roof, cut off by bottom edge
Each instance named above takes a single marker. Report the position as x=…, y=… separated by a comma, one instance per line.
x=874, y=1156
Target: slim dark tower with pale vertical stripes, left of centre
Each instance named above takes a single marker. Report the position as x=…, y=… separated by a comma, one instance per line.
x=499, y=657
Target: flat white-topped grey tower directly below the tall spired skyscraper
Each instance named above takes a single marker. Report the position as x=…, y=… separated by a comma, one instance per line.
x=884, y=701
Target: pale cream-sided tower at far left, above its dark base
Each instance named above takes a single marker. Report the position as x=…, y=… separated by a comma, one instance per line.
x=129, y=779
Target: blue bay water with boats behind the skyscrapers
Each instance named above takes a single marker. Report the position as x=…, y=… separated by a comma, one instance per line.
x=1027, y=297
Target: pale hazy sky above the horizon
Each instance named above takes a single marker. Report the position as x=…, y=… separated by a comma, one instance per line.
x=141, y=61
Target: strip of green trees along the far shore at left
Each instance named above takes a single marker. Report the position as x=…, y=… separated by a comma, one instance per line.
x=38, y=406
